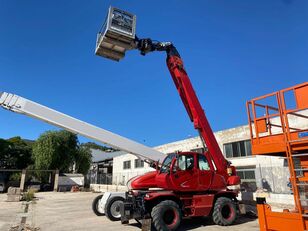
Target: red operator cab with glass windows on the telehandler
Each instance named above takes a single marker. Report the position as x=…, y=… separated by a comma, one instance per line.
x=186, y=171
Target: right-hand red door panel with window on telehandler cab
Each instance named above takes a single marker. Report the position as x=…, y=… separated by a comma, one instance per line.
x=205, y=172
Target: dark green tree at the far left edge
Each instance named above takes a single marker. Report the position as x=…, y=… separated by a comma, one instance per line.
x=15, y=153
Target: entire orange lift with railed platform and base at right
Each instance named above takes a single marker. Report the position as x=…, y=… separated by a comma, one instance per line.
x=279, y=127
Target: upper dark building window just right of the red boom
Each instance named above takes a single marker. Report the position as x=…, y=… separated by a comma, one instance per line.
x=238, y=149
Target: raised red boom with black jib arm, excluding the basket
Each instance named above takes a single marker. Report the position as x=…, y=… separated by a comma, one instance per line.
x=190, y=101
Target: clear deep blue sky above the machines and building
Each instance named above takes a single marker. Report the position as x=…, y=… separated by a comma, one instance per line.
x=233, y=51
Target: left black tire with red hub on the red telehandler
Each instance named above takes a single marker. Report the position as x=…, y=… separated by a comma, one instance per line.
x=166, y=216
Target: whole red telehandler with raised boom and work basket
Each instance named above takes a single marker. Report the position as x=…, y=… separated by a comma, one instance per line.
x=186, y=184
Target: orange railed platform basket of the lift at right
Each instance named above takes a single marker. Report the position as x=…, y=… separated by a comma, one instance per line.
x=277, y=118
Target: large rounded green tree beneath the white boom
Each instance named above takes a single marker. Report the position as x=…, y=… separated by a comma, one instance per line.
x=61, y=150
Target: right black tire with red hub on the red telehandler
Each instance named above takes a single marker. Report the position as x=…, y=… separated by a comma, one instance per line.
x=224, y=212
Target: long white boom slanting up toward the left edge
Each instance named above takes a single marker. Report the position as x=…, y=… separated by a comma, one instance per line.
x=27, y=107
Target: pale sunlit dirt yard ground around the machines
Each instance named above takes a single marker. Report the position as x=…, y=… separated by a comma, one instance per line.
x=72, y=211
